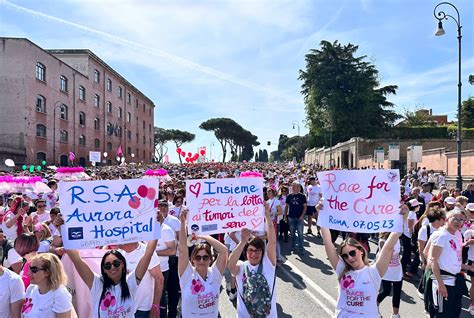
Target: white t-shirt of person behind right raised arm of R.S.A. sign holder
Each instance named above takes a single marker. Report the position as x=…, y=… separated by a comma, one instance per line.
x=145, y=291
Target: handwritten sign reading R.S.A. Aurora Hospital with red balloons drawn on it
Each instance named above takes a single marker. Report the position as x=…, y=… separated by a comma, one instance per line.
x=108, y=212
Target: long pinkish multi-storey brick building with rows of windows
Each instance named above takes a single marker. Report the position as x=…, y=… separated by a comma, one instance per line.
x=57, y=101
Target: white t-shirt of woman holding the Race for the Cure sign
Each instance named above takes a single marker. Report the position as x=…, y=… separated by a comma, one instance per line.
x=358, y=290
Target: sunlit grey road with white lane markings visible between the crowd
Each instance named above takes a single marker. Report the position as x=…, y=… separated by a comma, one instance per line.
x=307, y=287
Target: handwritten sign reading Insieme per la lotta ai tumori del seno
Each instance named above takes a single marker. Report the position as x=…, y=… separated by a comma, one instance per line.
x=225, y=205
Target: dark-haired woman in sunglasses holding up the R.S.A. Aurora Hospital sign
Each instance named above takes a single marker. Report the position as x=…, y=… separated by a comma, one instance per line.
x=113, y=292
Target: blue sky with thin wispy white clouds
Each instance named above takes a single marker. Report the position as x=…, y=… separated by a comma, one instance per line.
x=241, y=59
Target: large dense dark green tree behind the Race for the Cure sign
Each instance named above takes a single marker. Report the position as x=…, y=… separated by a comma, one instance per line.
x=342, y=94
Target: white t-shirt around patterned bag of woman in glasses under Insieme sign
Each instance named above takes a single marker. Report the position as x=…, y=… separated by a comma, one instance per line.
x=268, y=270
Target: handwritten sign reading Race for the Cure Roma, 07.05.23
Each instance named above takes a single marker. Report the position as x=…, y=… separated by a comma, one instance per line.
x=361, y=201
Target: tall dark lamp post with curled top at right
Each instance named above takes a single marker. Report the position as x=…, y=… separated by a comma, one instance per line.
x=441, y=15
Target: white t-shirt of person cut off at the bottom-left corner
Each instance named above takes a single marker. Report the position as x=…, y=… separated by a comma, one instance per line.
x=12, y=292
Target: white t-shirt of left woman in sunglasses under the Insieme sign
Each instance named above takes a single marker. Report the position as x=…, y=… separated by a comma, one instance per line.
x=200, y=298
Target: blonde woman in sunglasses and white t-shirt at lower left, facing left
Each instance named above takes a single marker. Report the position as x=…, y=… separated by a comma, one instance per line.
x=47, y=295
